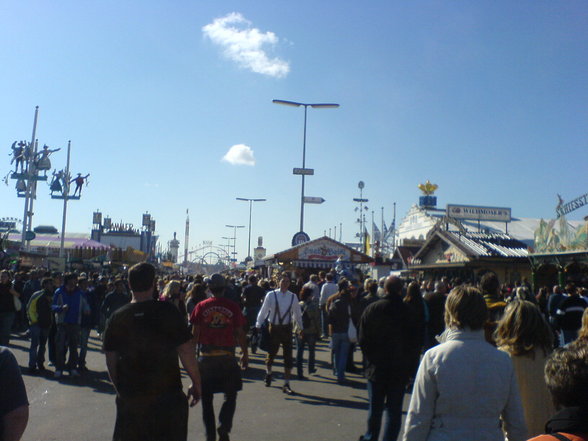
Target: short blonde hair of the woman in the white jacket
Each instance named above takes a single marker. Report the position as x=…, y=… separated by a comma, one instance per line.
x=465, y=307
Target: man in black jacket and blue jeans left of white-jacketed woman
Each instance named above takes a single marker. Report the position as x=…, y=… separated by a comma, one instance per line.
x=384, y=333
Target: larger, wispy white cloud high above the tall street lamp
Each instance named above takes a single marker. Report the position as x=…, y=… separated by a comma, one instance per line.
x=245, y=45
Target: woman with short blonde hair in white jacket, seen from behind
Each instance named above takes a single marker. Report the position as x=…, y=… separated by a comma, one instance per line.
x=465, y=388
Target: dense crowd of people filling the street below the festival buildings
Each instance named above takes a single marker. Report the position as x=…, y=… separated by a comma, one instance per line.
x=481, y=361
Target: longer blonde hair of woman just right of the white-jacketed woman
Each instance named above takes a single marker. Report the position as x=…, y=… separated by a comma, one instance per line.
x=523, y=329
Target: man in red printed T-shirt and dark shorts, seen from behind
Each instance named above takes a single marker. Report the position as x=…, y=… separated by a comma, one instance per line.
x=218, y=326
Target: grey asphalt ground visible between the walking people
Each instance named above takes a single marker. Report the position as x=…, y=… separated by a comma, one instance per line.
x=72, y=409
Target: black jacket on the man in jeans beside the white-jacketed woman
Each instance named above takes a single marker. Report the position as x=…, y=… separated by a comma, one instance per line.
x=384, y=333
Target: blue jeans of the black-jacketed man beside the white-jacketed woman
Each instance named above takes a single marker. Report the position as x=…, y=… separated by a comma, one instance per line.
x=384, y=397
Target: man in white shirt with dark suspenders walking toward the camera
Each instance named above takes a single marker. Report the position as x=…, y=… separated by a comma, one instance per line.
x=280, y=307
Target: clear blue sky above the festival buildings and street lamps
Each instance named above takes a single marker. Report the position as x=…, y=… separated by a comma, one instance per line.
x=489, y=100
